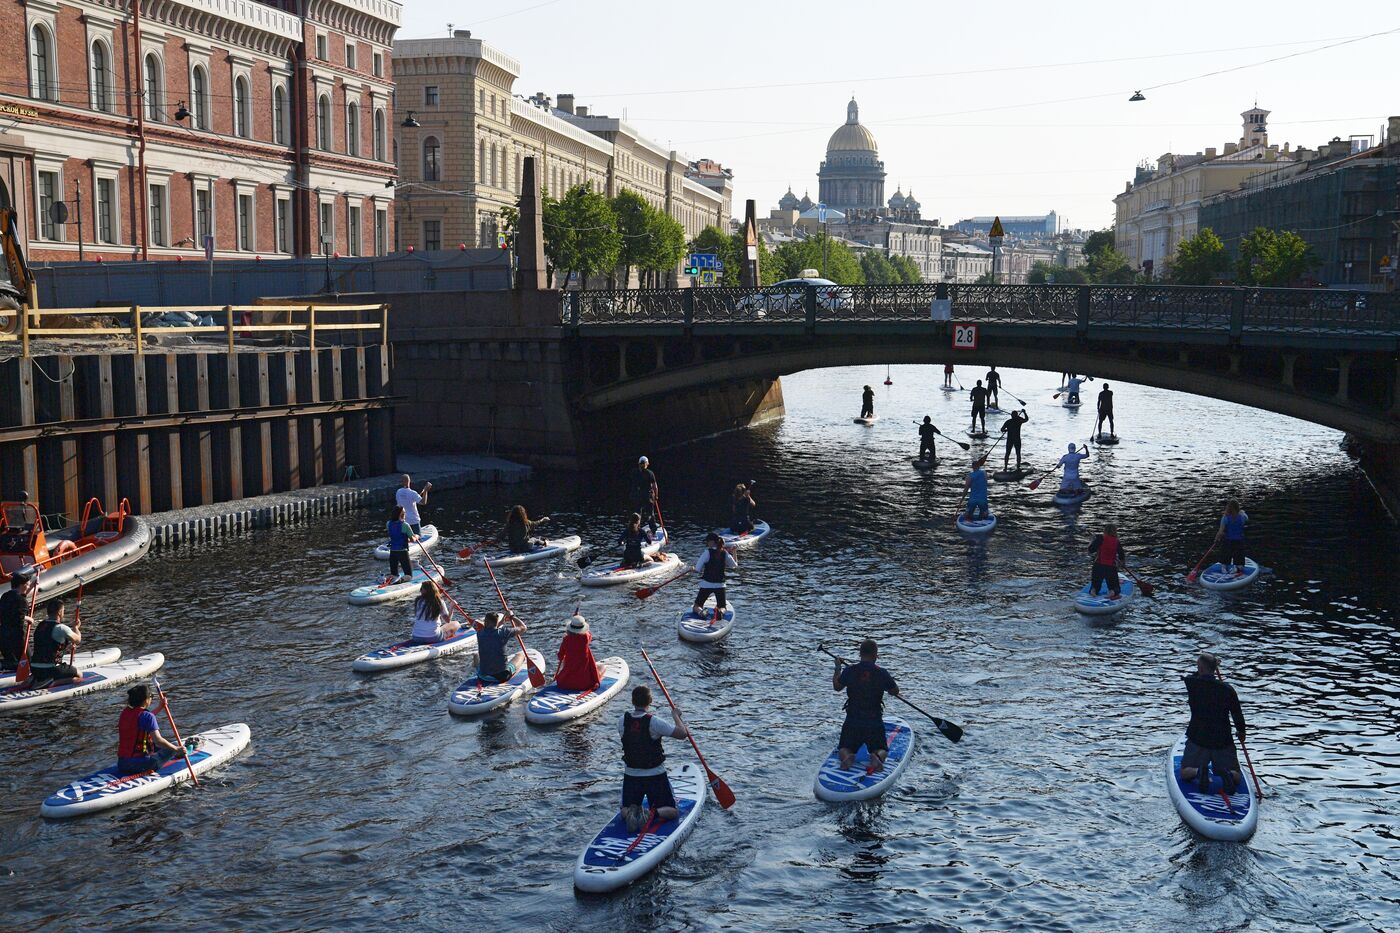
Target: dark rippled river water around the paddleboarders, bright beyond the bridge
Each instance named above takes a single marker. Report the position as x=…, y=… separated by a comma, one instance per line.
x=362, y=803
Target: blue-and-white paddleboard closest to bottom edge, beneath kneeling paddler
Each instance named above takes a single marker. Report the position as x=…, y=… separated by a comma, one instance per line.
x=617, y=858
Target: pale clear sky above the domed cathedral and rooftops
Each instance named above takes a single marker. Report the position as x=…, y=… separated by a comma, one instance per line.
x=1011, y=109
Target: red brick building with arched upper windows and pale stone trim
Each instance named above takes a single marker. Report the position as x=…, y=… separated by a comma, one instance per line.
x=267, y=125
